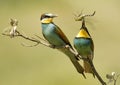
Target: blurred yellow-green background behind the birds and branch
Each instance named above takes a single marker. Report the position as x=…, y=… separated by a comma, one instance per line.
x=41, y=65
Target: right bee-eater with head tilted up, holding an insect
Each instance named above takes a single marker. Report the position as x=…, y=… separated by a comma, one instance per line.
x=83, y=43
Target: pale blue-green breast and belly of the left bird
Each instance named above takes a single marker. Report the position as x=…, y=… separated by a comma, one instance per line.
x=49, y=32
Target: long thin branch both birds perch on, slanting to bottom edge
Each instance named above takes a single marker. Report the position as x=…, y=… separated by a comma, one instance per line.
x=43, y=42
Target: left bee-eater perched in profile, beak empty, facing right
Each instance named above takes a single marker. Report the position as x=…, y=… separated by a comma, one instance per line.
x=54, y=35
